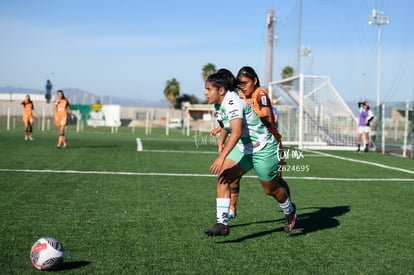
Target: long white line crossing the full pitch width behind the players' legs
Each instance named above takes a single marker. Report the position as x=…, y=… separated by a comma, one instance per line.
x=186, y=175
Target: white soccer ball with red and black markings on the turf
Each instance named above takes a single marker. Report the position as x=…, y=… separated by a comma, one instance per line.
x=47, y=253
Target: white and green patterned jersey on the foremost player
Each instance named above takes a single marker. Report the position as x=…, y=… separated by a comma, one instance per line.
x=254, y=133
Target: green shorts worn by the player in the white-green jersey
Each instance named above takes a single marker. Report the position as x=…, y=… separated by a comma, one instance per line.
x=265, y=163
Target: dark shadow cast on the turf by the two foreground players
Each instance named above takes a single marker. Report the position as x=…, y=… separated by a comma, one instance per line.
x=322, y=218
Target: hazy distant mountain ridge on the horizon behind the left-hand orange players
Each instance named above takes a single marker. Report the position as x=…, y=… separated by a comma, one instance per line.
x=78, y=96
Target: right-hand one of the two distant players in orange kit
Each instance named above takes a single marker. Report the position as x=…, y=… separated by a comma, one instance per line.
x=61, y=108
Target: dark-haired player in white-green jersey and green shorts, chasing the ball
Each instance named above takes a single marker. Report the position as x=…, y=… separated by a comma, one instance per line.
x=249, y=145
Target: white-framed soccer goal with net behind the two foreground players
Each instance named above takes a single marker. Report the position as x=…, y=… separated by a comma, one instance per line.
x=312, y=114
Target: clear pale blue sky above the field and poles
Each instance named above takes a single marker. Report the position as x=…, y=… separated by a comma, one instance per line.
x=131, y=48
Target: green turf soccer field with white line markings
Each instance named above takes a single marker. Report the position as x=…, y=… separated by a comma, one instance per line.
x=119, y=211
